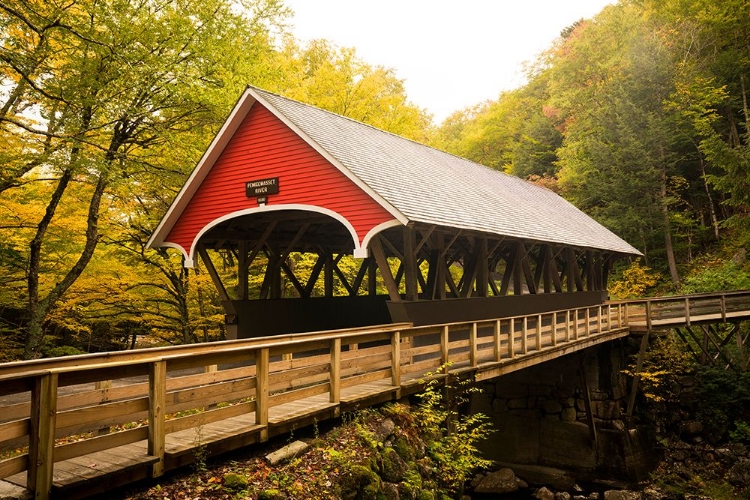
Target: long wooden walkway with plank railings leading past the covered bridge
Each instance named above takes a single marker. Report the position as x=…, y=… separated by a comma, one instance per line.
x=76, y=426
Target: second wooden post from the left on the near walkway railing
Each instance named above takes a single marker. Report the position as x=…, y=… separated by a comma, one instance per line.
x=157, y=402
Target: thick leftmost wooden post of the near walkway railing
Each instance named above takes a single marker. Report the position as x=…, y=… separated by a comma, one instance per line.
x=42, y=436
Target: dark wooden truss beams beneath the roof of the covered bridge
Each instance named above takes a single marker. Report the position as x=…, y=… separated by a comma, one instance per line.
x=410, y=263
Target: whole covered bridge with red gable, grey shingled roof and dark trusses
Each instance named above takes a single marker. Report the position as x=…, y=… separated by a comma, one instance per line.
x=397, y=231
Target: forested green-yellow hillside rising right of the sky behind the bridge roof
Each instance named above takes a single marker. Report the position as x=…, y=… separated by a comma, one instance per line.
x=640, y=118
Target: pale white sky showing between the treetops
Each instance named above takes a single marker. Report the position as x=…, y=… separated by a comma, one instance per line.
x=451, y=54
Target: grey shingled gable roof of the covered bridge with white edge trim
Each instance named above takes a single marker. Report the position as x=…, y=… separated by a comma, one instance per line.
x=417, y=183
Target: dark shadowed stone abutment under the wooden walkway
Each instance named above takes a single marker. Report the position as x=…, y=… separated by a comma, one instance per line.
x=540, y=417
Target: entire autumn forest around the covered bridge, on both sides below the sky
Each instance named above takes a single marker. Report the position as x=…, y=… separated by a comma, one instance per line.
x=638, y=116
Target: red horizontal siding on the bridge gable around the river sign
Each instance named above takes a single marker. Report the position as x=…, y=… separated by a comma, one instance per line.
x=263, y=147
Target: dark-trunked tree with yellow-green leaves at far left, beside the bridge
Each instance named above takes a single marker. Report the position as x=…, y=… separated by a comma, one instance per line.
x=97, y=90
